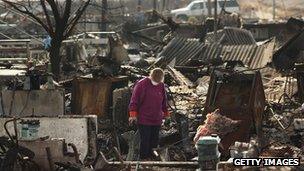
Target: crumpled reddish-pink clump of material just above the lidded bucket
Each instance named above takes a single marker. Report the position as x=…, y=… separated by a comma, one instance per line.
x=216, y=123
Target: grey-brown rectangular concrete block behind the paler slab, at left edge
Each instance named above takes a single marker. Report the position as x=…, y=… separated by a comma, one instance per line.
x=33, y=103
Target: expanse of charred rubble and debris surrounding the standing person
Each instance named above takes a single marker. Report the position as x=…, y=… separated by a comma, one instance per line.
x=232, y=87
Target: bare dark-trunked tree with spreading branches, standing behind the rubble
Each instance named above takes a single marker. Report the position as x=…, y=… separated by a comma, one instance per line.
x=59, y=19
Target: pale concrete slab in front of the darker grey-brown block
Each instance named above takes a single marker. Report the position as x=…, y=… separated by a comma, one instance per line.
x=79, y=130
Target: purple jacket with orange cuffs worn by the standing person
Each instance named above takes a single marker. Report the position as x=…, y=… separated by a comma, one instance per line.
x=148, y=102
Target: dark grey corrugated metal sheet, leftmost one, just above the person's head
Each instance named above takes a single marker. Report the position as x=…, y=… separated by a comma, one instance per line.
x=181, y=49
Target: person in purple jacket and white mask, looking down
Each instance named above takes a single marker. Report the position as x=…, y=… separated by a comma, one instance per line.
x=148, y=107
